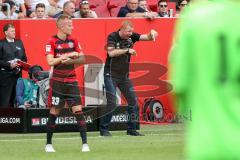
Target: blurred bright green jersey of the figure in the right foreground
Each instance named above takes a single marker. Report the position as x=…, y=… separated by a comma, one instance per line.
x=206, y=76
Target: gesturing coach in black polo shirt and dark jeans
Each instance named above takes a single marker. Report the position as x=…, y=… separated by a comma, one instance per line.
x=116, y=72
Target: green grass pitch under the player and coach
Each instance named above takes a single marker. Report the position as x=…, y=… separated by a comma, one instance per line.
x=161, y=142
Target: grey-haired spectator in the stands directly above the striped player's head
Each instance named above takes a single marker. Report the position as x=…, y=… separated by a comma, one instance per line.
x=68, y=9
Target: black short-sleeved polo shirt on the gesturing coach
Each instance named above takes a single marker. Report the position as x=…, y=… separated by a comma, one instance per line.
x=119, y=66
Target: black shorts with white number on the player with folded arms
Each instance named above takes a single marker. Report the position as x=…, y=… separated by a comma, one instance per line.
x=61, y=93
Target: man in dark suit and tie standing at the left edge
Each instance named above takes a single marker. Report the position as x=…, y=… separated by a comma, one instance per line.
x=10, y=50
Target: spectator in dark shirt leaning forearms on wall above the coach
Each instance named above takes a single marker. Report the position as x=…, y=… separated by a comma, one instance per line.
x=132, y=9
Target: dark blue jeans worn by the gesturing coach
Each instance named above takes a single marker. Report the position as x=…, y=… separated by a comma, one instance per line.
x=127, y=90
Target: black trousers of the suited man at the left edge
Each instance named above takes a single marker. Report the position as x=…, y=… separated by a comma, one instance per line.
x=8, y=91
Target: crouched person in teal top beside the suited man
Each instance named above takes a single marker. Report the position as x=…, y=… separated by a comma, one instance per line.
x=27, y=89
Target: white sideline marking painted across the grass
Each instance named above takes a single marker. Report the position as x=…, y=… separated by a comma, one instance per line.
x=41, y=139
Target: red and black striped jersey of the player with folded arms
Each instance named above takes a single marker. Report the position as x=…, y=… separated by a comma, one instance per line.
x=57, y=47
